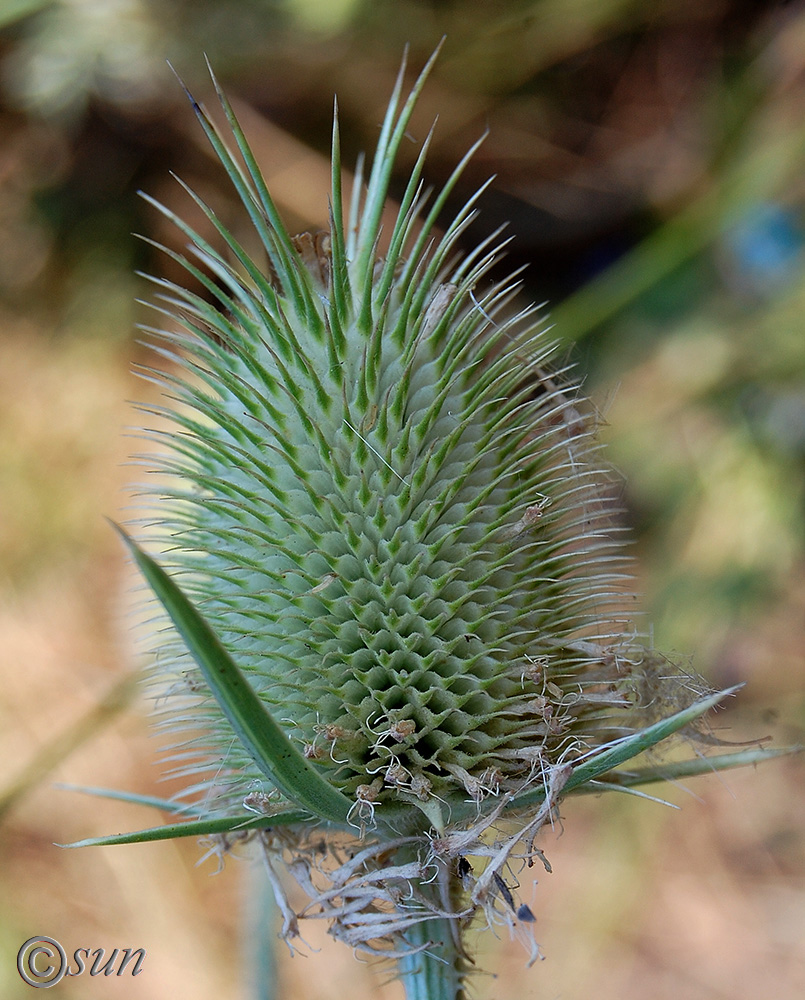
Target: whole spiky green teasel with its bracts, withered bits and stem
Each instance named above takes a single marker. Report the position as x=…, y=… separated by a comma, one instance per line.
x=389, y=578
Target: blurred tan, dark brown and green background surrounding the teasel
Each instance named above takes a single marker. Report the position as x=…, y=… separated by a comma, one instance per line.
x=650, y=163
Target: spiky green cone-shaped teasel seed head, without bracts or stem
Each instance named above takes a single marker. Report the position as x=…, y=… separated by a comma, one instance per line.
x=388, y=507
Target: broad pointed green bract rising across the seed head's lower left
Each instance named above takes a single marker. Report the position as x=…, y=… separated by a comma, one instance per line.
x=261, y=736
